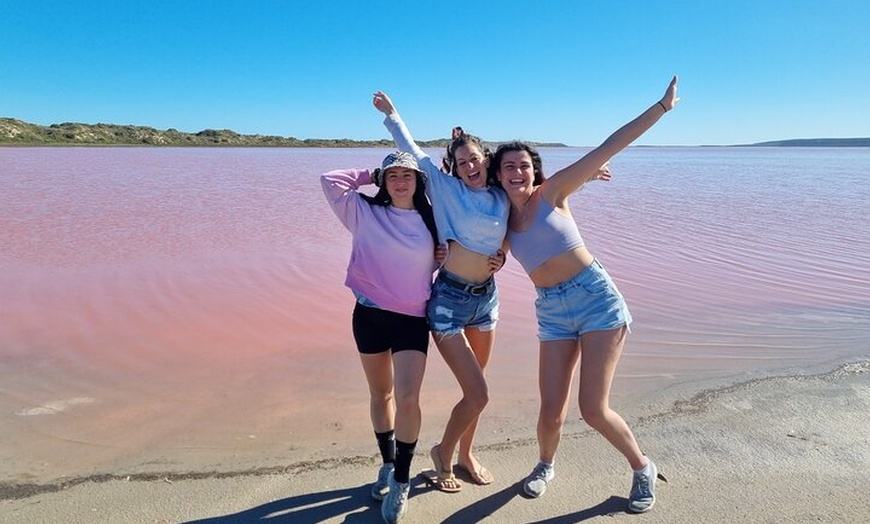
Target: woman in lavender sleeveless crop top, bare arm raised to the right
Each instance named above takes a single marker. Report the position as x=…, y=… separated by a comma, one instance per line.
x=579, y=309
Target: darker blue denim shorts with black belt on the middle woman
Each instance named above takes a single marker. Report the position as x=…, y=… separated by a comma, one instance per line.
x=456, y=303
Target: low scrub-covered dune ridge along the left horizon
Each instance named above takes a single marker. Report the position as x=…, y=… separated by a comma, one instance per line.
x=16, y=132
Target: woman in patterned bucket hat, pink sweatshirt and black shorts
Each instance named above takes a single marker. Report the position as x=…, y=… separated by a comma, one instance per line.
x=390, y=273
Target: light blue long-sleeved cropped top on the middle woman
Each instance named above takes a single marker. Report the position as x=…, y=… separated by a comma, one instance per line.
x=476, y=218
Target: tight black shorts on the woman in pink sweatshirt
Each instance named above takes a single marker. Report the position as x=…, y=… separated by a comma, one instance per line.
x=377, y=330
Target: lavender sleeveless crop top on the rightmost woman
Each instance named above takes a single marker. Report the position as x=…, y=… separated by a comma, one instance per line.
x=550, y=235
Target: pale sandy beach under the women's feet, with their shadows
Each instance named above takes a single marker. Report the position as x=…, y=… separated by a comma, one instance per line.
x=777, y=449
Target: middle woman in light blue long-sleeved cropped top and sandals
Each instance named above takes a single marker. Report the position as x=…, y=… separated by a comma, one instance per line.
x=471, y=216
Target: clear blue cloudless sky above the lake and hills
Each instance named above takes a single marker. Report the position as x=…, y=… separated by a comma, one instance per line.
x=568, y=71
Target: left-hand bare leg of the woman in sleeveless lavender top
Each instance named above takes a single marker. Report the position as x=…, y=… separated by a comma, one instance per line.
x=557, y=362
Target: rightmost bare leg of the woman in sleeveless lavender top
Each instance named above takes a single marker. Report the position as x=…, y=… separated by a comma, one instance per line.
x=601, y=351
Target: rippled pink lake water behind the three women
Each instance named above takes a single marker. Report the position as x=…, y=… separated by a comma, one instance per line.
x=177, y=310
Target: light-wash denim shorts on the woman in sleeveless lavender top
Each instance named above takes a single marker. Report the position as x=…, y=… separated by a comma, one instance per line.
x=587, y=302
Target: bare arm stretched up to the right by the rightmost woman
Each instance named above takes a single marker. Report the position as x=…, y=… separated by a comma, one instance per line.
x=559, y=186
